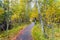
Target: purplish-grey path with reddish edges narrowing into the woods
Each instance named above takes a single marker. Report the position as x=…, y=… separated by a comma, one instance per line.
x=26, y=33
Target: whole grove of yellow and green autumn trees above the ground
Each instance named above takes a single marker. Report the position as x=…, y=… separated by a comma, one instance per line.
x=13, y=12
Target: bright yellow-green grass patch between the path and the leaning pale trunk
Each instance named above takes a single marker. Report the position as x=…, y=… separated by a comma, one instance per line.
x=37, y=33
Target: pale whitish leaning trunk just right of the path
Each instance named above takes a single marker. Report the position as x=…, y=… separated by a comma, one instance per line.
x=39, y=13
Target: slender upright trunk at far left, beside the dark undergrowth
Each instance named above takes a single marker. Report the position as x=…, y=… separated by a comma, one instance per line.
x=6, y=12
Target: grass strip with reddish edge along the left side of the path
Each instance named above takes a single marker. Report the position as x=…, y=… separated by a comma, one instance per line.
x=7, y=35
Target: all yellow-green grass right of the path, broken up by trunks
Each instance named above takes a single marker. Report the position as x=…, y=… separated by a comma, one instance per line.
x=38, y=35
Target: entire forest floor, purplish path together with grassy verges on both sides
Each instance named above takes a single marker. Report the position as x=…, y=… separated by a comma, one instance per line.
x=30, y=31
